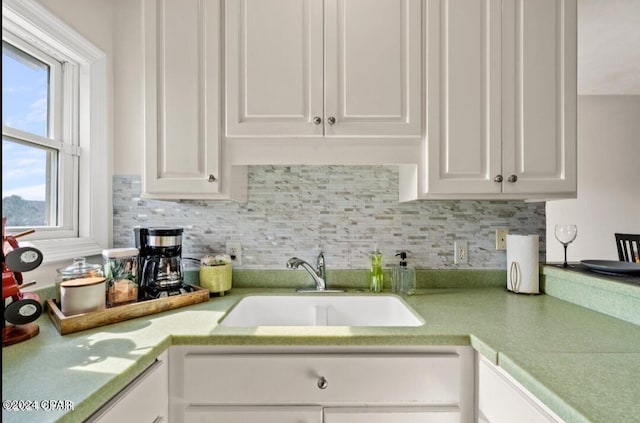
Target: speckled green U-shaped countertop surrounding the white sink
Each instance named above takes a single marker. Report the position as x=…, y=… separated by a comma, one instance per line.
x=582, y=364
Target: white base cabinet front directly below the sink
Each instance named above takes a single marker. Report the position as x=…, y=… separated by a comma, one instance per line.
x=330, y=385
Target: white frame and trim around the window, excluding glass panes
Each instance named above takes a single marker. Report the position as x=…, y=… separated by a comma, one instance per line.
x=80, y=135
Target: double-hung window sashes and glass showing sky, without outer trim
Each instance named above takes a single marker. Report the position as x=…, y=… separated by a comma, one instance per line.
x=31, y=153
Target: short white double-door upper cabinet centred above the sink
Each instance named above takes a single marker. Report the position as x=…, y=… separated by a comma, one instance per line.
x=331, y=68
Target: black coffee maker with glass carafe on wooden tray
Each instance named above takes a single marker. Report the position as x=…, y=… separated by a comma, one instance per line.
x=160, y=262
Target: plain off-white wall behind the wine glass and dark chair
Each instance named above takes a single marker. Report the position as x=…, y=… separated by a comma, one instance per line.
x=608, y=179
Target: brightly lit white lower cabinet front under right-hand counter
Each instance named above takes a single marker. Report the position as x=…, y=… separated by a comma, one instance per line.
x=501, y=399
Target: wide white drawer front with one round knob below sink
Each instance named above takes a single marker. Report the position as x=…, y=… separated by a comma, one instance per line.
x=389, y=379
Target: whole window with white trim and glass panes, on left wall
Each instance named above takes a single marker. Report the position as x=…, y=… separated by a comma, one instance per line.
x=54, y=147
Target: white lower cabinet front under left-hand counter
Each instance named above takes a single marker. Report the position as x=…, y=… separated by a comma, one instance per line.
x=143, y=400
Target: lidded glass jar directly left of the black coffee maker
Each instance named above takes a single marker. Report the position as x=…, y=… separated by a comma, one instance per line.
x=121, y=274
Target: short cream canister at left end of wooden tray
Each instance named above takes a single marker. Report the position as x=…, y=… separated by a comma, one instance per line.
x=83, y=295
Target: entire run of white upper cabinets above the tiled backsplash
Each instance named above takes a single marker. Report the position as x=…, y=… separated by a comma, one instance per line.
x=473, y=99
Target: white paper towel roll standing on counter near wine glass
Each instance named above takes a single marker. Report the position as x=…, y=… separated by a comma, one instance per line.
x=523, y=272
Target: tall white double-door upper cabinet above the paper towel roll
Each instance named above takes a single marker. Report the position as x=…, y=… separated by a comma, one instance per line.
x=501, y=99
